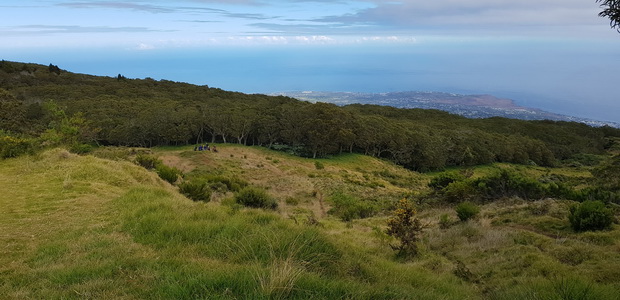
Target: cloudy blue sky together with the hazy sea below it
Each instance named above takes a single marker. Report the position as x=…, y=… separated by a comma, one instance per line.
x=556, y=55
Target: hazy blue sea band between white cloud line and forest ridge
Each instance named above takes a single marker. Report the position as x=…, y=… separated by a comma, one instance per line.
x=579, y=82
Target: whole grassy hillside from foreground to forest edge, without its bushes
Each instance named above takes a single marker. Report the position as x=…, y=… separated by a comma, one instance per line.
x=87, y=227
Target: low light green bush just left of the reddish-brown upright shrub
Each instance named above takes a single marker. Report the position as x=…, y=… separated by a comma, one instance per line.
x=347, y=207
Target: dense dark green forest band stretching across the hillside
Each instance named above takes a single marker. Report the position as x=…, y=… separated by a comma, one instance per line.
x=131, y=112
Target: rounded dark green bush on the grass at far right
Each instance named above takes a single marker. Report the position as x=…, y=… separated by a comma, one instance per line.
x=590, y=215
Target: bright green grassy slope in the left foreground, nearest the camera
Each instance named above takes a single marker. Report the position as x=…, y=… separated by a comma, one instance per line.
x=82, y=227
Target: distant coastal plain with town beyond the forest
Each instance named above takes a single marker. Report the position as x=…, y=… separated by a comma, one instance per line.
x=470, y=106
